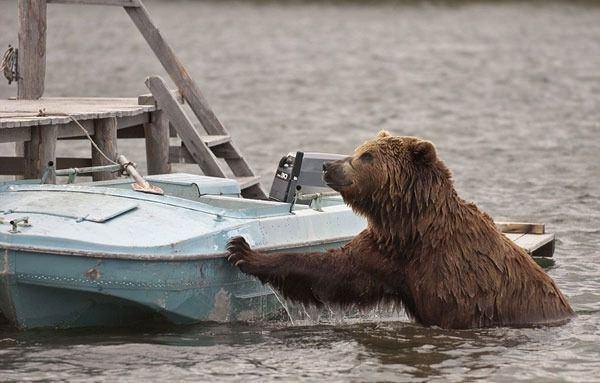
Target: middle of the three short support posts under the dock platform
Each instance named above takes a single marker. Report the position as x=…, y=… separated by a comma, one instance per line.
x=105, y=136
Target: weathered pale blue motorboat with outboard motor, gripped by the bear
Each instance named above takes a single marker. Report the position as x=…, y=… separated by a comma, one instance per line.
x=138, y=250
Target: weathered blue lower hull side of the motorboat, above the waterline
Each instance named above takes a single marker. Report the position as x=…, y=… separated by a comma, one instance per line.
x=48, y=290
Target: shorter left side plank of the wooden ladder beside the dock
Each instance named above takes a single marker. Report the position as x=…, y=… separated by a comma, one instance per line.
x=201, y=154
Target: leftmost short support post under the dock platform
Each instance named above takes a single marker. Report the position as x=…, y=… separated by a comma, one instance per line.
x=40, y=150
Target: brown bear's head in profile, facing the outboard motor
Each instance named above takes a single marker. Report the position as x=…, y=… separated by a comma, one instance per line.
x=390, y=176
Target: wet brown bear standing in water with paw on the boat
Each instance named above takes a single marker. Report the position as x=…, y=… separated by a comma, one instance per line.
x=442, y=258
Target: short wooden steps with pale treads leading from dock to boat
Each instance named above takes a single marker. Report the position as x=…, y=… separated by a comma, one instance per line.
x=203, y=150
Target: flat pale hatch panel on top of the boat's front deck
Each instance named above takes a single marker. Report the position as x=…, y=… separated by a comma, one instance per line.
x=71, y=205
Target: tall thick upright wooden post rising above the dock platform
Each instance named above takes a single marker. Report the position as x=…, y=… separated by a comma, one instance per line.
x=32, y=49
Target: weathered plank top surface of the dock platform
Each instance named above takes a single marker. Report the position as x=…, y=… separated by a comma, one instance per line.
x=18, y=113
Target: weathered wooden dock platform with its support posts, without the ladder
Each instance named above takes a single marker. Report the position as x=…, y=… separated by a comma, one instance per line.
x=40, y=123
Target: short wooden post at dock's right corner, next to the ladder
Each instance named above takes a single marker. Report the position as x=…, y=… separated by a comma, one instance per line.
x=157, y=143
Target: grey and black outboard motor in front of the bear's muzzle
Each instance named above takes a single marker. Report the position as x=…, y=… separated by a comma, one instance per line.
x=300, y=172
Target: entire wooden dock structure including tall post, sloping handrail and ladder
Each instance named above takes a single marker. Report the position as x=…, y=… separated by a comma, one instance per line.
x=35, y=123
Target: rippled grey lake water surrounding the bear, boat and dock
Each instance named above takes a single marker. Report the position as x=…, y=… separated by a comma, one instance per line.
x=508, y=91
